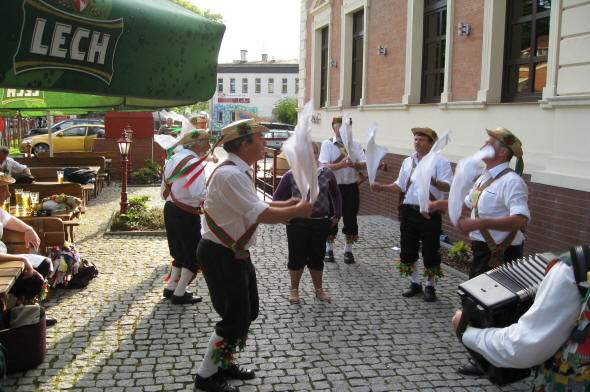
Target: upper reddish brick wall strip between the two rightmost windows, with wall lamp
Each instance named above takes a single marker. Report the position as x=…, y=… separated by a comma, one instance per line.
x=466, y=62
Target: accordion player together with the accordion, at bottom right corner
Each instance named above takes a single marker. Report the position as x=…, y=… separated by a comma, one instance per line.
x=521, y=319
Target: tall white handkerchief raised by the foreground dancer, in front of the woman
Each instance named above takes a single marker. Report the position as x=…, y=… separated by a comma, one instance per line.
x=299, y=152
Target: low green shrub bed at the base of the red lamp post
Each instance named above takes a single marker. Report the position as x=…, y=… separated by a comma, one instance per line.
x=139, y=216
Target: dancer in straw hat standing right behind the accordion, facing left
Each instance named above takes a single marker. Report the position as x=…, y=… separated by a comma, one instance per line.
x=499, y=210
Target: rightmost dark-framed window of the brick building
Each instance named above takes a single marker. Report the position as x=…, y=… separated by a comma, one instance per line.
x=527, y=43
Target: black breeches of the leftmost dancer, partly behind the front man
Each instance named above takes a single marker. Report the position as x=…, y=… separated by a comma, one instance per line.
x=183, y=230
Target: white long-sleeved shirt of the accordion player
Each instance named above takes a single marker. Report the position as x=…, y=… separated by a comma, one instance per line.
x=540, y=332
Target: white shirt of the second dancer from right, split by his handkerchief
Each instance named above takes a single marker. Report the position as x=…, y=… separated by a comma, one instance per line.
x=442, y=172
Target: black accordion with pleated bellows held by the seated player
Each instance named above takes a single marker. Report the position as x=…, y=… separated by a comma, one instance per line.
x=497, y=299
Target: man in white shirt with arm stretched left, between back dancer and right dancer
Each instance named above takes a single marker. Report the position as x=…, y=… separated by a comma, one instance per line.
x=416, y=227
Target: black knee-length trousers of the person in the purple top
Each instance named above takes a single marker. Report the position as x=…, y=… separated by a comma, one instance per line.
x=307, y=243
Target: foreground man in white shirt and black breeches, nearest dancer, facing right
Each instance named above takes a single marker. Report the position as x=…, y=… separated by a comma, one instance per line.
x=232, y=212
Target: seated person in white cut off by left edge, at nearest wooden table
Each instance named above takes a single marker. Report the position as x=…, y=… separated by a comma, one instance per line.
x=37, y=267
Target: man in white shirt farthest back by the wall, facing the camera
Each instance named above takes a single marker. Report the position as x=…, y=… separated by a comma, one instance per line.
x=345, y=165
